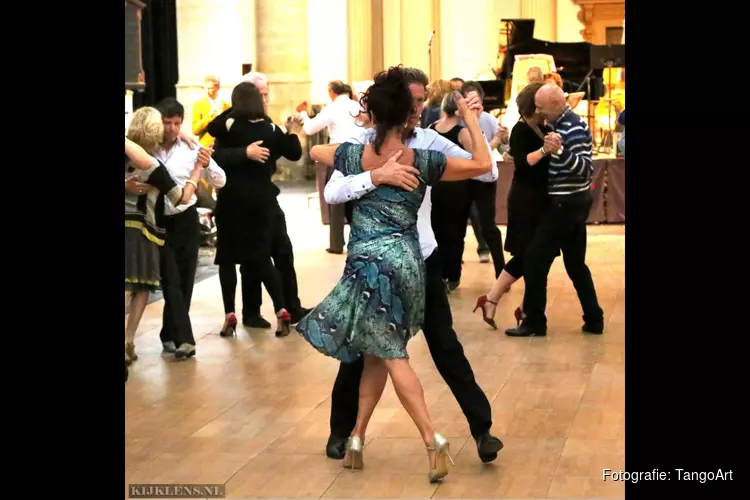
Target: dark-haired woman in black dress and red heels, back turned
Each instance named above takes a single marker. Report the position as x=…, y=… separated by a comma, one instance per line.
x=245, y=205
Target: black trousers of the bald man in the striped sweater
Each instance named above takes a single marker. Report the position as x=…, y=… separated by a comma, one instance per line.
x=563, y=228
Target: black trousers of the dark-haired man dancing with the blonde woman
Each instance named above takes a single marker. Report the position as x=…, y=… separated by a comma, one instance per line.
x=179, y=261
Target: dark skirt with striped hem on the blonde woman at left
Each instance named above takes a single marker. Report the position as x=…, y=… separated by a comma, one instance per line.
x=142, y=271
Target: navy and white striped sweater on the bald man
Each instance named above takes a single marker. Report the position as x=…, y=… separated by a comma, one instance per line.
x=570, y=172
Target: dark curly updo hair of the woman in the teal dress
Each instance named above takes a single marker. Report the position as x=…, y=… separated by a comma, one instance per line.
x=388, y=101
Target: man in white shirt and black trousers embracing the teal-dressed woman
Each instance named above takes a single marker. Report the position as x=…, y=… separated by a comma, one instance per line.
x=447, y=351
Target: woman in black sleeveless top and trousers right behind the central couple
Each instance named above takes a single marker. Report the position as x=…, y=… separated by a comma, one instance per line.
x=450, y=200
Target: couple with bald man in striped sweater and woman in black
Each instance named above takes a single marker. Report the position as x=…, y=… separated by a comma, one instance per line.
x=548, y=205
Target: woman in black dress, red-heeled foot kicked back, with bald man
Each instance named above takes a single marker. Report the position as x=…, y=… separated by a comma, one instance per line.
x=527, y=200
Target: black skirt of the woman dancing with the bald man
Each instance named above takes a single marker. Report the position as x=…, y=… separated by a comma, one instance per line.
x=527, y=204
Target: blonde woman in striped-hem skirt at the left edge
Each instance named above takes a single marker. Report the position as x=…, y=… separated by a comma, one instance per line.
x=144, y=214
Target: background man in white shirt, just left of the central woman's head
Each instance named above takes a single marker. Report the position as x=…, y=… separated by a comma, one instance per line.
x=339, y=118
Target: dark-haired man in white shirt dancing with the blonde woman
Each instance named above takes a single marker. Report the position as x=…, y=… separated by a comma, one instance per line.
x=179, y=255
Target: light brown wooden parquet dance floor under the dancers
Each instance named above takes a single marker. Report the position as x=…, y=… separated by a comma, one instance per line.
x=252, y=412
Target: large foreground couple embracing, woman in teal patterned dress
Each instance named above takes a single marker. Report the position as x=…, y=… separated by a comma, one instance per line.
x=390, y=275
